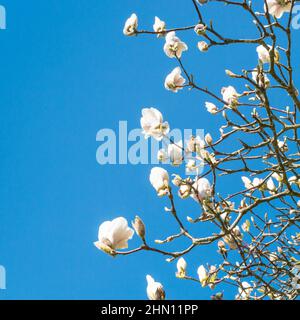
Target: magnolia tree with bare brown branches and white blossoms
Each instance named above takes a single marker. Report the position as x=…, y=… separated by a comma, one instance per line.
x=255, y=228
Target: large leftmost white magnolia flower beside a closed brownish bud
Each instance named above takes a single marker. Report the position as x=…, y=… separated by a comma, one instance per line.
x=114, y=235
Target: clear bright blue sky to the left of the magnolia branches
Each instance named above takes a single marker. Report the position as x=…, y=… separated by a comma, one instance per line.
x=66, y=72
